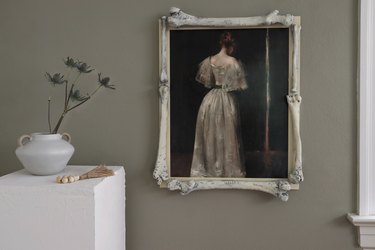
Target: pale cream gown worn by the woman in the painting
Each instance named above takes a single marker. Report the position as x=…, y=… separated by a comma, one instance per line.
x=217, y=147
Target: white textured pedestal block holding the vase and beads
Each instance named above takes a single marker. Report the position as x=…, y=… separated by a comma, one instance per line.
x=36, y=213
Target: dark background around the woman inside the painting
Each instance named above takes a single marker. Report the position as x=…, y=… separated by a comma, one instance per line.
x=187, y=49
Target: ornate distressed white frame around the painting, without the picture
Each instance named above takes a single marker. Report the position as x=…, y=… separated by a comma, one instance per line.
x=277, y=187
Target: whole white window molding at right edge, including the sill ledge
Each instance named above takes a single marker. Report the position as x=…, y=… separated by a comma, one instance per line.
x=365, y=219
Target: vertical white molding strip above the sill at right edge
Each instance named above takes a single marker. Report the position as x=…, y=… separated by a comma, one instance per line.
x=366, y=108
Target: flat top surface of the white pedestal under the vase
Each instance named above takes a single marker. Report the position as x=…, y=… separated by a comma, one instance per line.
x=24, y=179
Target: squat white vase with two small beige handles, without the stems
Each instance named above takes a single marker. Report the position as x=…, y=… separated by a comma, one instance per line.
x=43, y=153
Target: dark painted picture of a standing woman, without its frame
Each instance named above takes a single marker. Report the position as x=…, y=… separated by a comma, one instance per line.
x=239, y=130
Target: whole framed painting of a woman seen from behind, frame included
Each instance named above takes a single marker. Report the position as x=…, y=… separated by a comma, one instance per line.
x=230, y=103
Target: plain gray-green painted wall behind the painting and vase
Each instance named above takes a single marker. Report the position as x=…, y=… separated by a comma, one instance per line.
x=121, y=127
